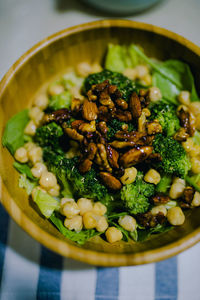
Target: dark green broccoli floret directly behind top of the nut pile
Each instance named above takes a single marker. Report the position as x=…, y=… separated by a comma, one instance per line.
x=123, y=83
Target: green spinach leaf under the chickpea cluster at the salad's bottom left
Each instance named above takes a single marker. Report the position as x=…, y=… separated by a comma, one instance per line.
x=79, y=237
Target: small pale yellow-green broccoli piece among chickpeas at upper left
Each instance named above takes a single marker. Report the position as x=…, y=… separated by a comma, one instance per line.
x=60, y=101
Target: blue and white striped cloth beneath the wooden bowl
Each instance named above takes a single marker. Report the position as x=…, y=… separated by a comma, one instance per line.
x=29, y=271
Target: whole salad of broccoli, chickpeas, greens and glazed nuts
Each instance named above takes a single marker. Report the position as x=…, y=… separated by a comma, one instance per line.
x=112, y=150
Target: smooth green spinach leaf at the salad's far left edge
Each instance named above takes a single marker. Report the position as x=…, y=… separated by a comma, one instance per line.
x=13, y=136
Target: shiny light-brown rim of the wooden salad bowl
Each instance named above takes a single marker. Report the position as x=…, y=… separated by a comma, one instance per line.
x=60, y=246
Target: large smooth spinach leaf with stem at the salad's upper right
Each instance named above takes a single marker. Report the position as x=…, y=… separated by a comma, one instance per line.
x=171, y=77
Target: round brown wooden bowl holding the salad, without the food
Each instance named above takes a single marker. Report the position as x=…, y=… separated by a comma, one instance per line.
x=51, y=57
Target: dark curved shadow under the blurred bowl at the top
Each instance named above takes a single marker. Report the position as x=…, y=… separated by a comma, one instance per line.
x=79, y=5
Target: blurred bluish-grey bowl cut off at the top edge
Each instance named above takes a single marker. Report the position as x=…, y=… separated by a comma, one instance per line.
x=121, y=6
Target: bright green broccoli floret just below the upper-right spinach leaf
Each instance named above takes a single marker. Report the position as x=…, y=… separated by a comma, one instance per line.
x=166, y=115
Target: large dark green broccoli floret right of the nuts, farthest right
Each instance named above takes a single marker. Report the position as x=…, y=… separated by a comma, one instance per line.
x=174, y=158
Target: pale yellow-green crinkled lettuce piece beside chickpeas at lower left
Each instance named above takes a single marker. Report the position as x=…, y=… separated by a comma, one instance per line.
x=45, y=202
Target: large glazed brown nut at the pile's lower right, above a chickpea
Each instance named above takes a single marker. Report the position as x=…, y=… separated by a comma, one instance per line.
x=135, y=156
